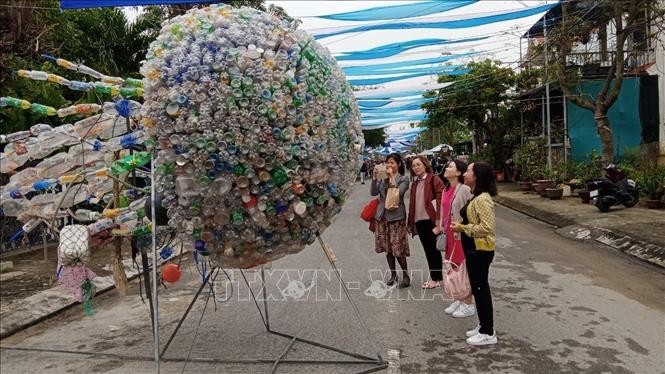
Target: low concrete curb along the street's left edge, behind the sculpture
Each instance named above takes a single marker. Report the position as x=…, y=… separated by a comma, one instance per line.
x=26, y=312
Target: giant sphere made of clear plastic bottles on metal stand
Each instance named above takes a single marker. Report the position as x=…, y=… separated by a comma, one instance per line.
x=256, y=130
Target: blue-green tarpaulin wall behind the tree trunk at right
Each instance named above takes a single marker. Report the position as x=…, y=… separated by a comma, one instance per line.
x=624, y=119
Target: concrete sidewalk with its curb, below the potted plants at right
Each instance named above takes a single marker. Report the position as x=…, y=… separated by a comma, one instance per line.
x=636, y=231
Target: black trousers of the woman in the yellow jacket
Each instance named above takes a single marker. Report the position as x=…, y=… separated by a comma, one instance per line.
x=478, y=266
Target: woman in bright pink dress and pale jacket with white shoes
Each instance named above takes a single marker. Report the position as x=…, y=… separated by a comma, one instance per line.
x=455, y=196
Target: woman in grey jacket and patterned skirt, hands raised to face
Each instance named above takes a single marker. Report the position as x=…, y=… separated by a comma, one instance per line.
x=390, y=235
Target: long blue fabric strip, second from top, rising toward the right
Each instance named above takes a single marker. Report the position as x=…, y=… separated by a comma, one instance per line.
x=451, y=24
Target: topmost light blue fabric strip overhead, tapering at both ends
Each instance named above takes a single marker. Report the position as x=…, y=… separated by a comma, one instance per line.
x=398, y=11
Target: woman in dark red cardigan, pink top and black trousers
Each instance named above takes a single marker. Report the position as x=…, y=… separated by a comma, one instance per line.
x=423, y=216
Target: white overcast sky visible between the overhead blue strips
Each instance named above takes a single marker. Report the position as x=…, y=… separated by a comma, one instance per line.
x=503, y=42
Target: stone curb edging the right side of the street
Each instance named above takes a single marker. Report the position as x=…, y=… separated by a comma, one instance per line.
x=651, y=253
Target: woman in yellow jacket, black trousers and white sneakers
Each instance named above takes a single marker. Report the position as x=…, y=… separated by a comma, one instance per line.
x=478, y=230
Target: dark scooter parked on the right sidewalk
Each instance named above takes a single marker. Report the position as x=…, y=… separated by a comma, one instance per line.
x=614, y=189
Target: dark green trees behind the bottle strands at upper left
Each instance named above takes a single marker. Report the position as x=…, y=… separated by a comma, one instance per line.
x=100, y=38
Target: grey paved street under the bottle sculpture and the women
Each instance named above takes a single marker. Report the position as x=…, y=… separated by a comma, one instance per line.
x=561, y=306
